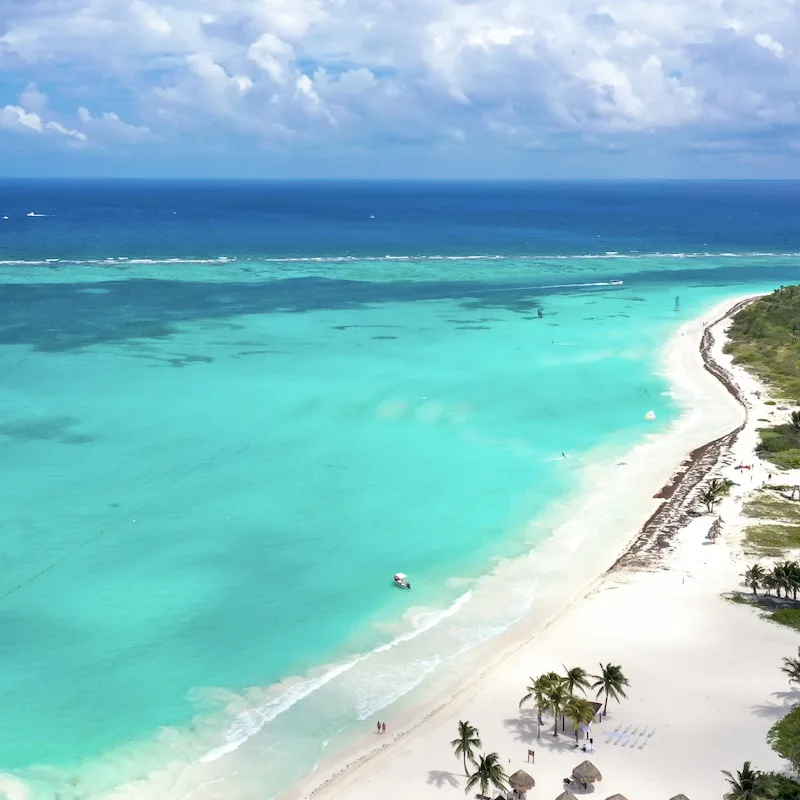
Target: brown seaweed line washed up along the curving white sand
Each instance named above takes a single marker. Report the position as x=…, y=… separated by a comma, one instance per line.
x=673, y=514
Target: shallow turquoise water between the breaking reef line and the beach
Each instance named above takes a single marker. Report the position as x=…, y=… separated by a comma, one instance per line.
x=212, y=473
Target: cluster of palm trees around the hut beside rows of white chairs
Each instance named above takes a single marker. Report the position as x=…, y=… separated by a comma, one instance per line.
x=558, y=693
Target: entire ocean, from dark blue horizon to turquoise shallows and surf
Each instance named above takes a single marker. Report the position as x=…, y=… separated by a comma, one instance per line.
x=230, y=412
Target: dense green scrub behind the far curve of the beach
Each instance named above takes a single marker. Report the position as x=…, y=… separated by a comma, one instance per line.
x=765, y=338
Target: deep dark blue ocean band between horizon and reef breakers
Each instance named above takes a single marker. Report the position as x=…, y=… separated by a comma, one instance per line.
x=292, y=219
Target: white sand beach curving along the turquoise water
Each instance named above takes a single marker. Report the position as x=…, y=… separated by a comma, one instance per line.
x=704, y=672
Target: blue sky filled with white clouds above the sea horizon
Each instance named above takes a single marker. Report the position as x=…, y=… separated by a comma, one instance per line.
x=400, y=88
